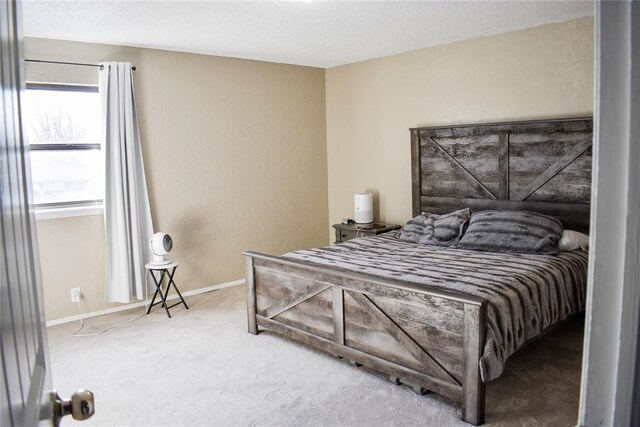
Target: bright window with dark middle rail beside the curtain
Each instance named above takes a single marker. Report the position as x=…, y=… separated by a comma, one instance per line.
x=64, y=127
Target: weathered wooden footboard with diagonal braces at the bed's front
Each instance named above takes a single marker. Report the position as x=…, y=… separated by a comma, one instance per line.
x=429, y=339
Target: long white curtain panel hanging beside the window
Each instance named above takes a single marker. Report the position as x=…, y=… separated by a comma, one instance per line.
x=128, y=225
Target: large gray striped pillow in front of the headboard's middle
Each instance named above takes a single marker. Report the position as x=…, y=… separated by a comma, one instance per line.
x=512, y=232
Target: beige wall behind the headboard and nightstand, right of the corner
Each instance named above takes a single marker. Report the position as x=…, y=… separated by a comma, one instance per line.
x=540, y=72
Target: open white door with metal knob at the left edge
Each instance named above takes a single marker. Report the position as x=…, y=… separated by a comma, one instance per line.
x=26, y=392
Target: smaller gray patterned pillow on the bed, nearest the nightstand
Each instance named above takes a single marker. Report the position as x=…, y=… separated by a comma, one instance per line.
x=437, y=230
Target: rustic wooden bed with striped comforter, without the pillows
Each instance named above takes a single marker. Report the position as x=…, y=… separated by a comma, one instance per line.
x=438, y=319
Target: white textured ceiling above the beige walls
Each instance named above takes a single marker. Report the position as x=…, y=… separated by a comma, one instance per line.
x=314, y=33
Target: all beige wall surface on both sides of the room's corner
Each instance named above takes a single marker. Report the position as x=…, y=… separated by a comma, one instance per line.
x=235, y=150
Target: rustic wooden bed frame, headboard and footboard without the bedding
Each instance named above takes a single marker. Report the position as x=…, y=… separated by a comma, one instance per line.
x=431, y=340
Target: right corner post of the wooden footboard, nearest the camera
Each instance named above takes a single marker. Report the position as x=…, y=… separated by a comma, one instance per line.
x=473, y=389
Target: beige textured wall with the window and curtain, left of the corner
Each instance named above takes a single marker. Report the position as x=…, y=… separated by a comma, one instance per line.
x=235, y=157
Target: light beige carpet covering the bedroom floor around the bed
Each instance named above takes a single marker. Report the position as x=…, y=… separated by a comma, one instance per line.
x=203, y=368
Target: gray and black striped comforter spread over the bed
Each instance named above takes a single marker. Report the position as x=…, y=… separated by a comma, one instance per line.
x=526, y=293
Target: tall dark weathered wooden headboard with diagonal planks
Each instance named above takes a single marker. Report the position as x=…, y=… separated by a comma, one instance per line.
x=542, y=166
